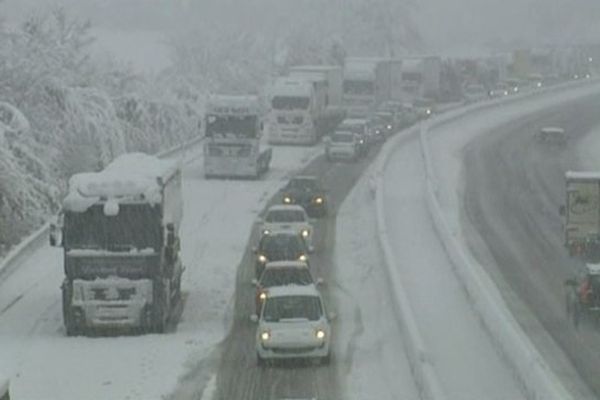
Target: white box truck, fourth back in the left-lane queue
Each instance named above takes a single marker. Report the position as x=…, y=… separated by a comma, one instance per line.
x=367, y=83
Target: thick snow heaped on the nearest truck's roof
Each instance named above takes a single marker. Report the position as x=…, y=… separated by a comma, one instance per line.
x=128, y=176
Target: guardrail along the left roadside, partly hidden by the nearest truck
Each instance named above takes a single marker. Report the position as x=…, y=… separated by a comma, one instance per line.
x=38, y=238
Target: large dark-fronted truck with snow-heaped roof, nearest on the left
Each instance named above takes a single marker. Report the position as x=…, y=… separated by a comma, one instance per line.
x=118, y=229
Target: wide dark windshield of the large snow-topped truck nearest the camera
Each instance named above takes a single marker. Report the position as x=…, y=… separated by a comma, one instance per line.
x=135, y=227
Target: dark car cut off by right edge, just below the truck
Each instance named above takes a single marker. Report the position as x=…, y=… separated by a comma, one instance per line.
x=583, y=296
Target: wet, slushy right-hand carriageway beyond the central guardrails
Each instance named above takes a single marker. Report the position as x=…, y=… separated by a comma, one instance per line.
x=514, y=187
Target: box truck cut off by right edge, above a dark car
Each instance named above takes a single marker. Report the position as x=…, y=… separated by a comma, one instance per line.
x=582, y=215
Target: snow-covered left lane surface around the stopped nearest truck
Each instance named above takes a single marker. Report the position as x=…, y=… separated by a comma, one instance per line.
x=45, y=364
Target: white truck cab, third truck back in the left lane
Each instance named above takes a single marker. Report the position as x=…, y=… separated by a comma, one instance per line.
x=297, y=110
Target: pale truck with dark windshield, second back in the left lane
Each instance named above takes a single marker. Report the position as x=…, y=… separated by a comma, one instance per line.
x=233, y=129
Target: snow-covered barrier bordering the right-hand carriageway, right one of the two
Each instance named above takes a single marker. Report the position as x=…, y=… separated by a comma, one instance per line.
x=538, y=379
